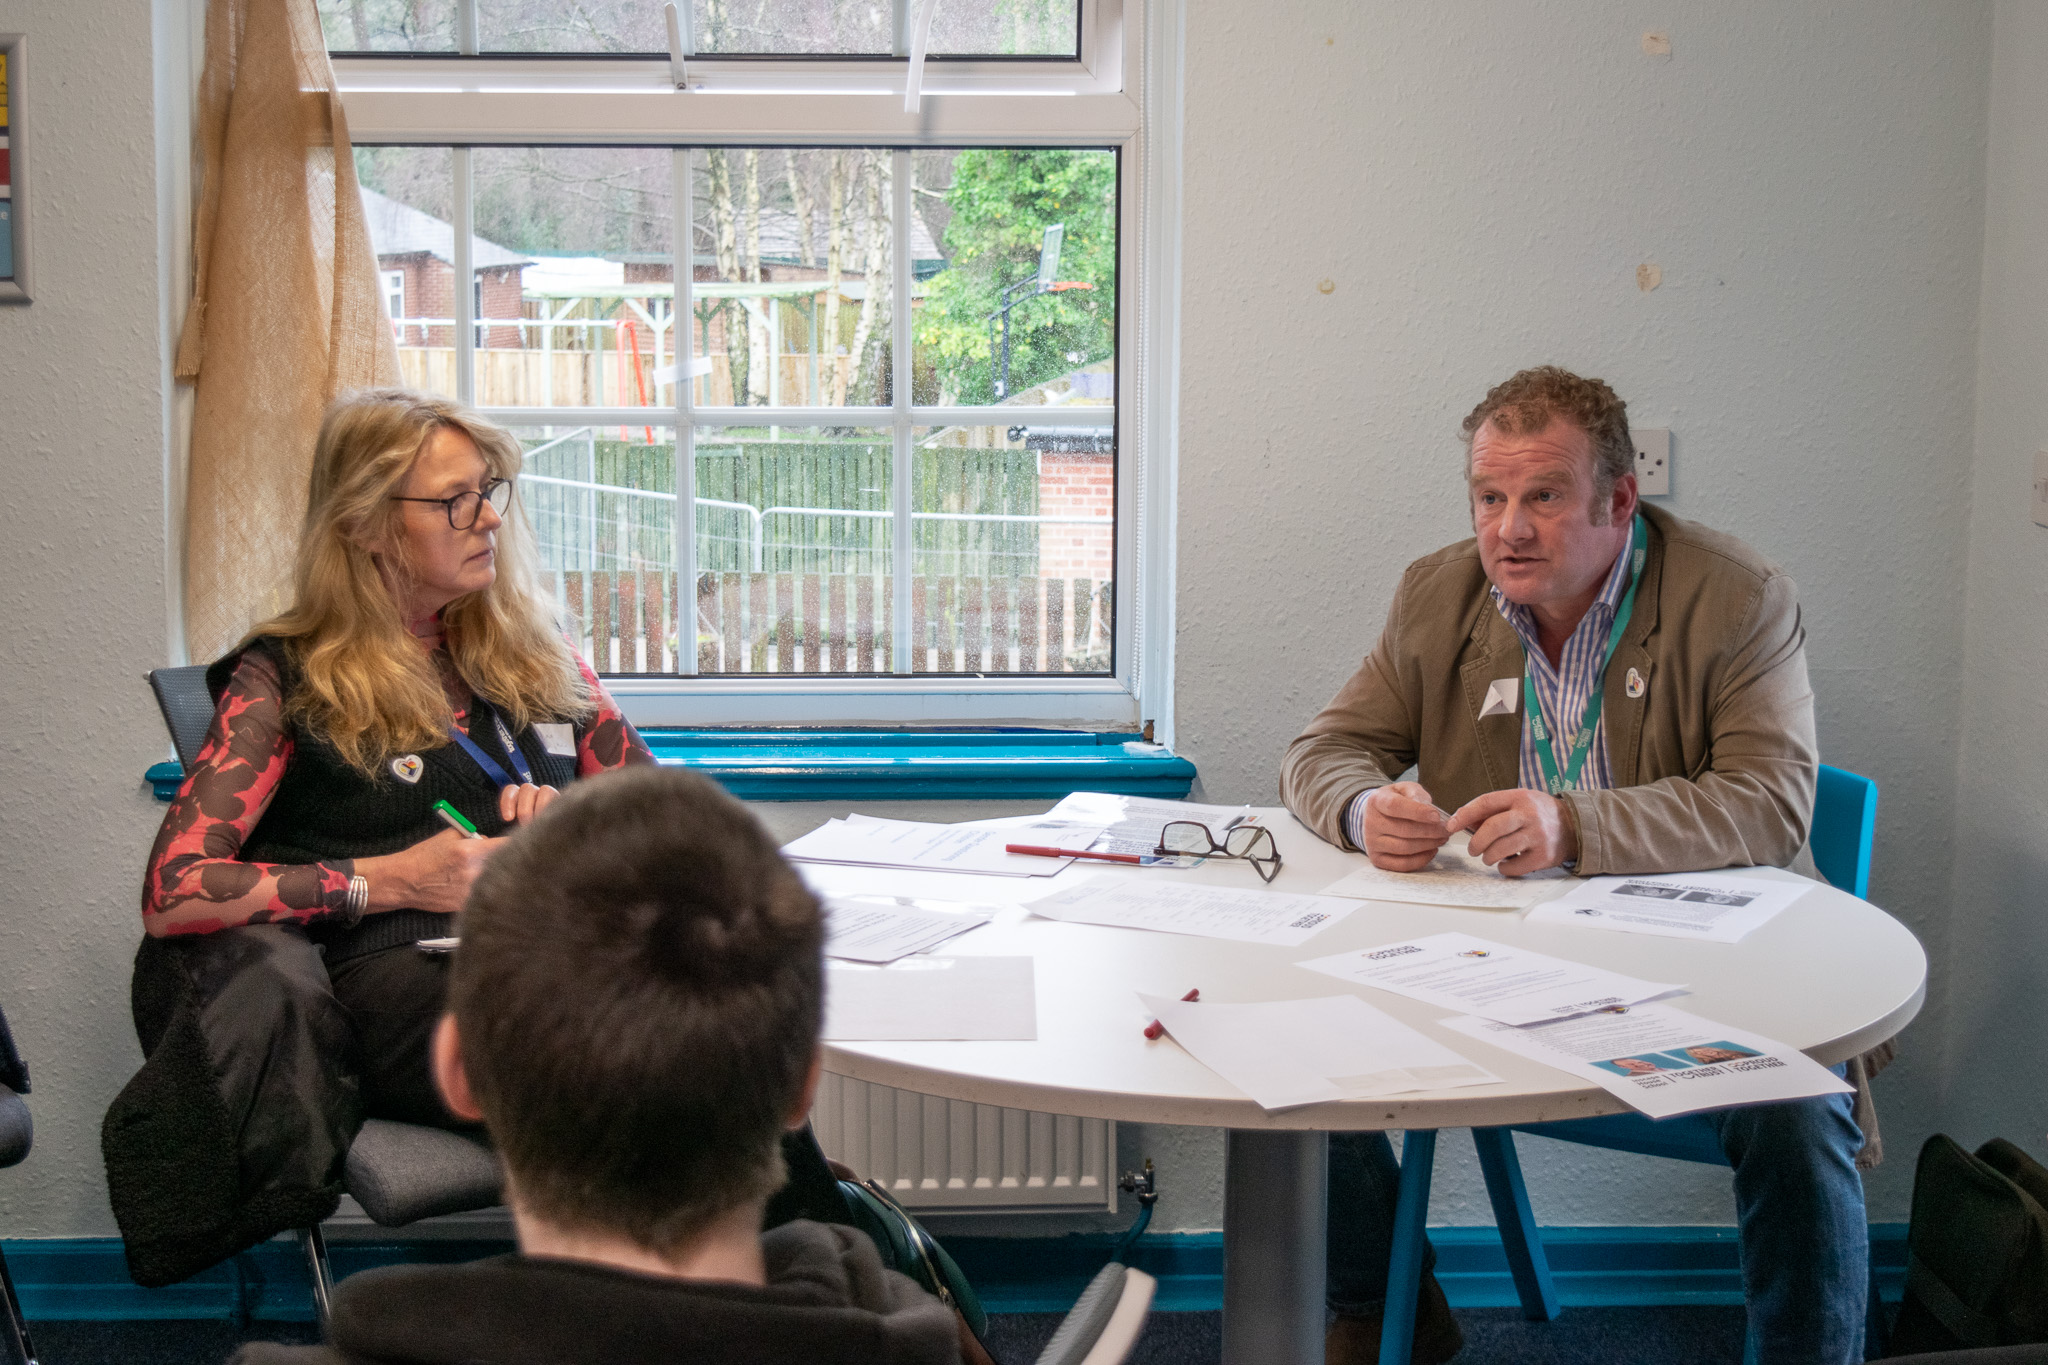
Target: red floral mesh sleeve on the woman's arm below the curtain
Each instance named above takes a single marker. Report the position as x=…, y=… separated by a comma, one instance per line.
x=198, y=881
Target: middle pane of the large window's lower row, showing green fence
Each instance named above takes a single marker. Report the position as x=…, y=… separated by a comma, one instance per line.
x=794, y=535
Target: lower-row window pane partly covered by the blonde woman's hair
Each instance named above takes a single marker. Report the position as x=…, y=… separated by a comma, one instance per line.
x=603, y=509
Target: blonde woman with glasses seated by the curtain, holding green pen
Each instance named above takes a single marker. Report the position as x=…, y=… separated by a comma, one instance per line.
x=282, y=994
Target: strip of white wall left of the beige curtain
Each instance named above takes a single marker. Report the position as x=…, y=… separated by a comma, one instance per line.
x=83, y=562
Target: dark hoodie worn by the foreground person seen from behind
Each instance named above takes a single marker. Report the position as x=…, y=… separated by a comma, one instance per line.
x=828, y=1303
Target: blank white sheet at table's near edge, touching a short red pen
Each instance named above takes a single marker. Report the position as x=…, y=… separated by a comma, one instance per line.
x=1304, y=1053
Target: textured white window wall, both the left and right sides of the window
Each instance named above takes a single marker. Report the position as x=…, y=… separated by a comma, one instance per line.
x=1478, y=183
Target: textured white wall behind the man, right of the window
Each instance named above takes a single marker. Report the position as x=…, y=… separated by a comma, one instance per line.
x=1390, y=208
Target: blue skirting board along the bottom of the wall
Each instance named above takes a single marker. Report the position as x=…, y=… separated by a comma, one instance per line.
x=87, y=1278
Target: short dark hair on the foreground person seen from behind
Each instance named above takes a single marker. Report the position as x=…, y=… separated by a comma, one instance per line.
x=638, y=996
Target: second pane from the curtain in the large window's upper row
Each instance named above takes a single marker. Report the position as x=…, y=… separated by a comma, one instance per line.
x=577, y=277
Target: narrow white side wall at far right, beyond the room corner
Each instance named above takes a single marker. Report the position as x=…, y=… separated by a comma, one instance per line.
x=1998, y=946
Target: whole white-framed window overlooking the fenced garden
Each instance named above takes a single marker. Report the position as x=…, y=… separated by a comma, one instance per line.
x=828, y=406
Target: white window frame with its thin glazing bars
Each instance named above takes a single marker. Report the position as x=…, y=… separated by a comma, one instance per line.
x=1119, y=95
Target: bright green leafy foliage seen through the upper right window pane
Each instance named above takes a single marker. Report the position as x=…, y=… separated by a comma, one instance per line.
x=1002, y=202
